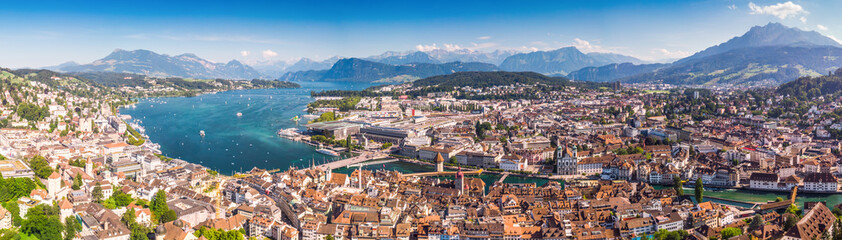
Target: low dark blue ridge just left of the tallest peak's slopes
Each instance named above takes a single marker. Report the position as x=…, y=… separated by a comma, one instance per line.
x=613, y=71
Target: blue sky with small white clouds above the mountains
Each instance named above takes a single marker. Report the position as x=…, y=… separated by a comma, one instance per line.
x=45, y=33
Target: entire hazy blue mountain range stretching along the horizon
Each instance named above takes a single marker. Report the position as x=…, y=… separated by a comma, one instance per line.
x=770, y=54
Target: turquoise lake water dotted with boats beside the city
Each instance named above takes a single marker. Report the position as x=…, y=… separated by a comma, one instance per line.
x=233, y=143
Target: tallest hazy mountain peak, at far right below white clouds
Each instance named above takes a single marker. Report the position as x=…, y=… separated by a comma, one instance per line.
x=772, y=34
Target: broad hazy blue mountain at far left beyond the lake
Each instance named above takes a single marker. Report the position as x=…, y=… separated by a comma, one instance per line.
x=161, y=65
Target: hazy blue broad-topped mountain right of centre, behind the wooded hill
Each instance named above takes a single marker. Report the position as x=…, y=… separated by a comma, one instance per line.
x=559, y=61
